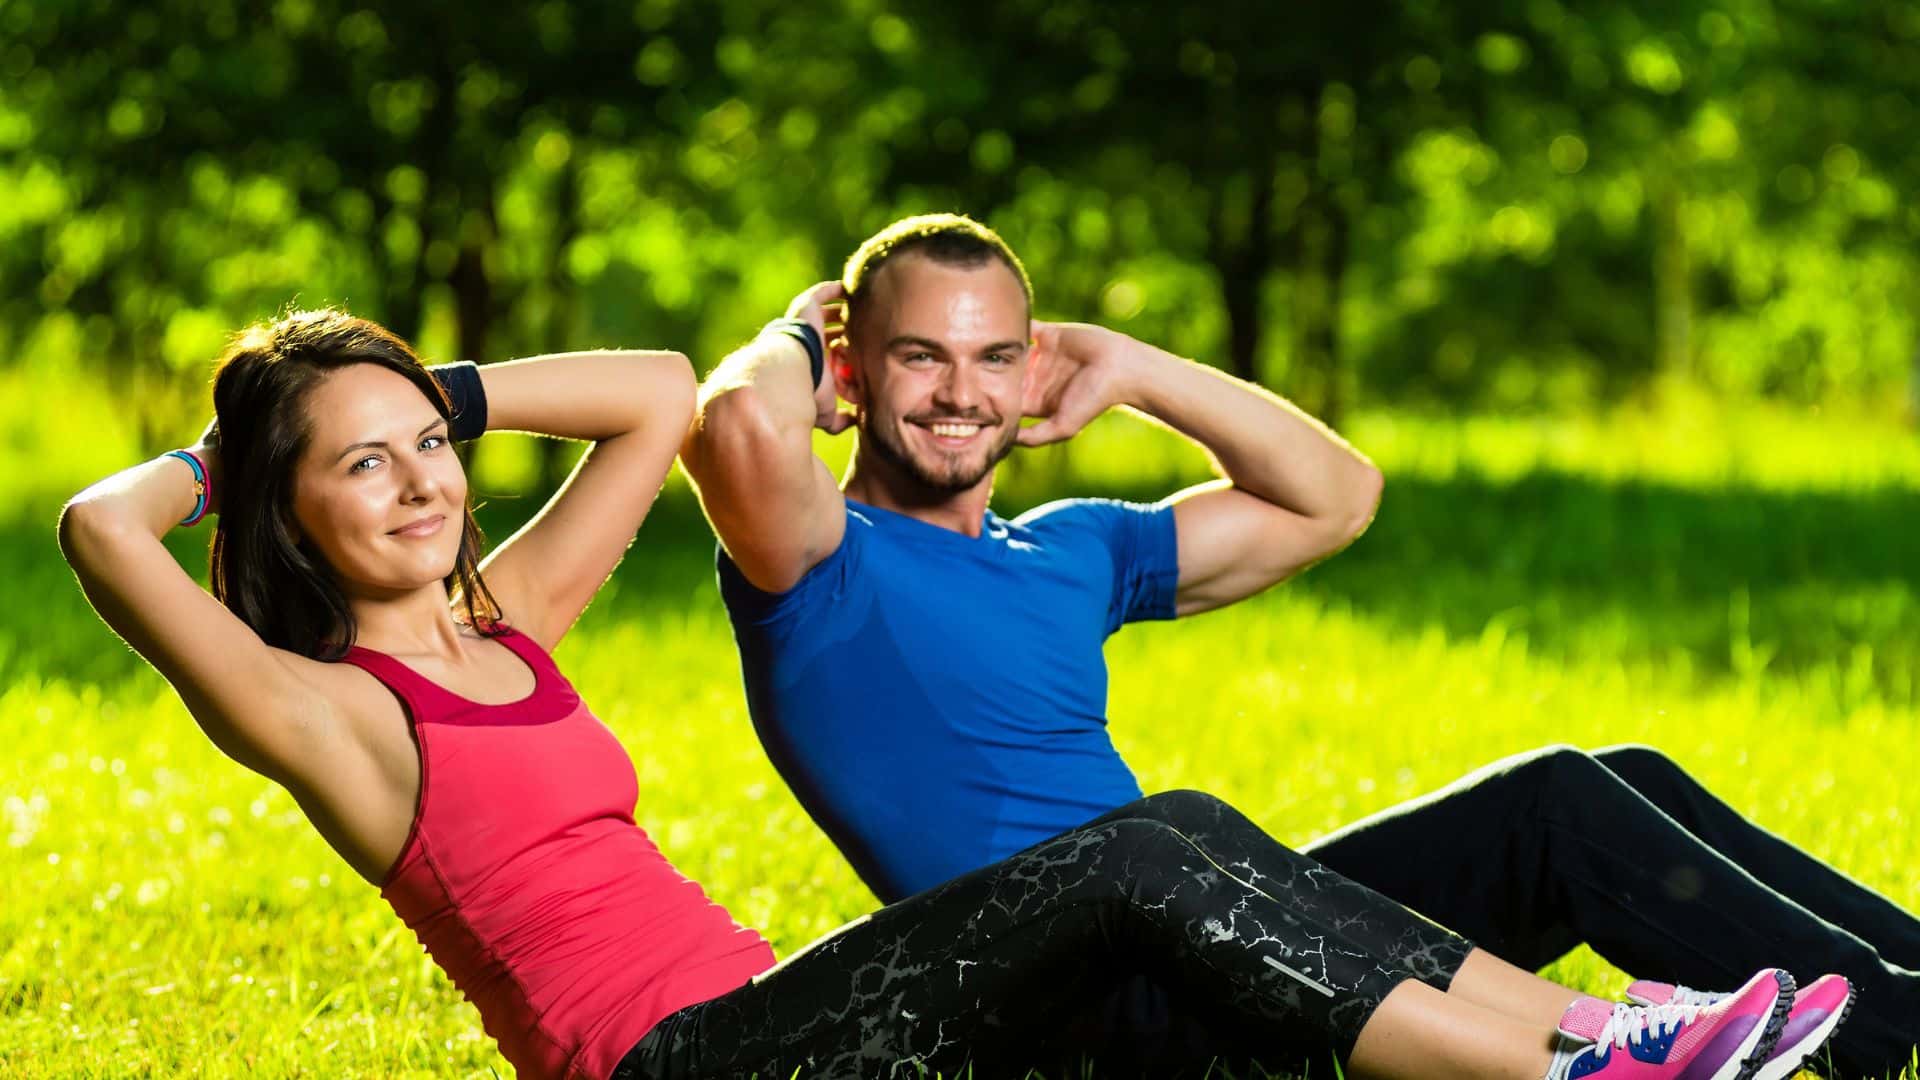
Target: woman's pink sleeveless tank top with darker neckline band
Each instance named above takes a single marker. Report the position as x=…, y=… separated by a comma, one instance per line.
x=531, y=885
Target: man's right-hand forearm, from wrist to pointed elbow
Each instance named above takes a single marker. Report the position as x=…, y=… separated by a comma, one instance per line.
x=1264, y=445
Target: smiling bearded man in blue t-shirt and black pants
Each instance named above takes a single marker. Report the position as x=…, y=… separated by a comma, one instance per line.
x=928, y=677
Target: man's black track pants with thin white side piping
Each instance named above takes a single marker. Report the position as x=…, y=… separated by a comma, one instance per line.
x=1629, y=854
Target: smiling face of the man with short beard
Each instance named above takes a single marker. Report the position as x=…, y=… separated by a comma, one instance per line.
x=940, y=356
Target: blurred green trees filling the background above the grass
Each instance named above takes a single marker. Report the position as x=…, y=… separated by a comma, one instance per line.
x=1516, y=203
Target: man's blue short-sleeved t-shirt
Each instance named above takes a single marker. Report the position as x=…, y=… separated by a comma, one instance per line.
x=940, y=702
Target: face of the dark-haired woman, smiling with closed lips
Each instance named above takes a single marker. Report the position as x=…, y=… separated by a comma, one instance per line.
x=379, y=491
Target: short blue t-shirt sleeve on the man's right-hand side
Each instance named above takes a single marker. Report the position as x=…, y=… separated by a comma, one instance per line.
x=1140, y=541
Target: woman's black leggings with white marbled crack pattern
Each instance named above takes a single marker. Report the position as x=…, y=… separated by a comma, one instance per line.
x=992, y=966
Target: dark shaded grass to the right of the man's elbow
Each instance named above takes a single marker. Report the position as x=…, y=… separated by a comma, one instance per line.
x=1735, y=579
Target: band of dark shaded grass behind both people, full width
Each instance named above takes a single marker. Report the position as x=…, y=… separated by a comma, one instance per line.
x=1733, y=579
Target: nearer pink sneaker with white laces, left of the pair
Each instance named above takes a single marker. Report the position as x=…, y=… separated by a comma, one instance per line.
x=1727, y=1041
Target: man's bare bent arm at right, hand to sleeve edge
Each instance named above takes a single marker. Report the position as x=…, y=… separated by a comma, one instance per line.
x=1293, y=491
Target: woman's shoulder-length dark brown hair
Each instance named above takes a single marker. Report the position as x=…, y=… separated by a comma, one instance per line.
x=277, y=585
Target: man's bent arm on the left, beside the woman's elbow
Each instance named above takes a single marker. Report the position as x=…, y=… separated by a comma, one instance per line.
x=752, y=454
